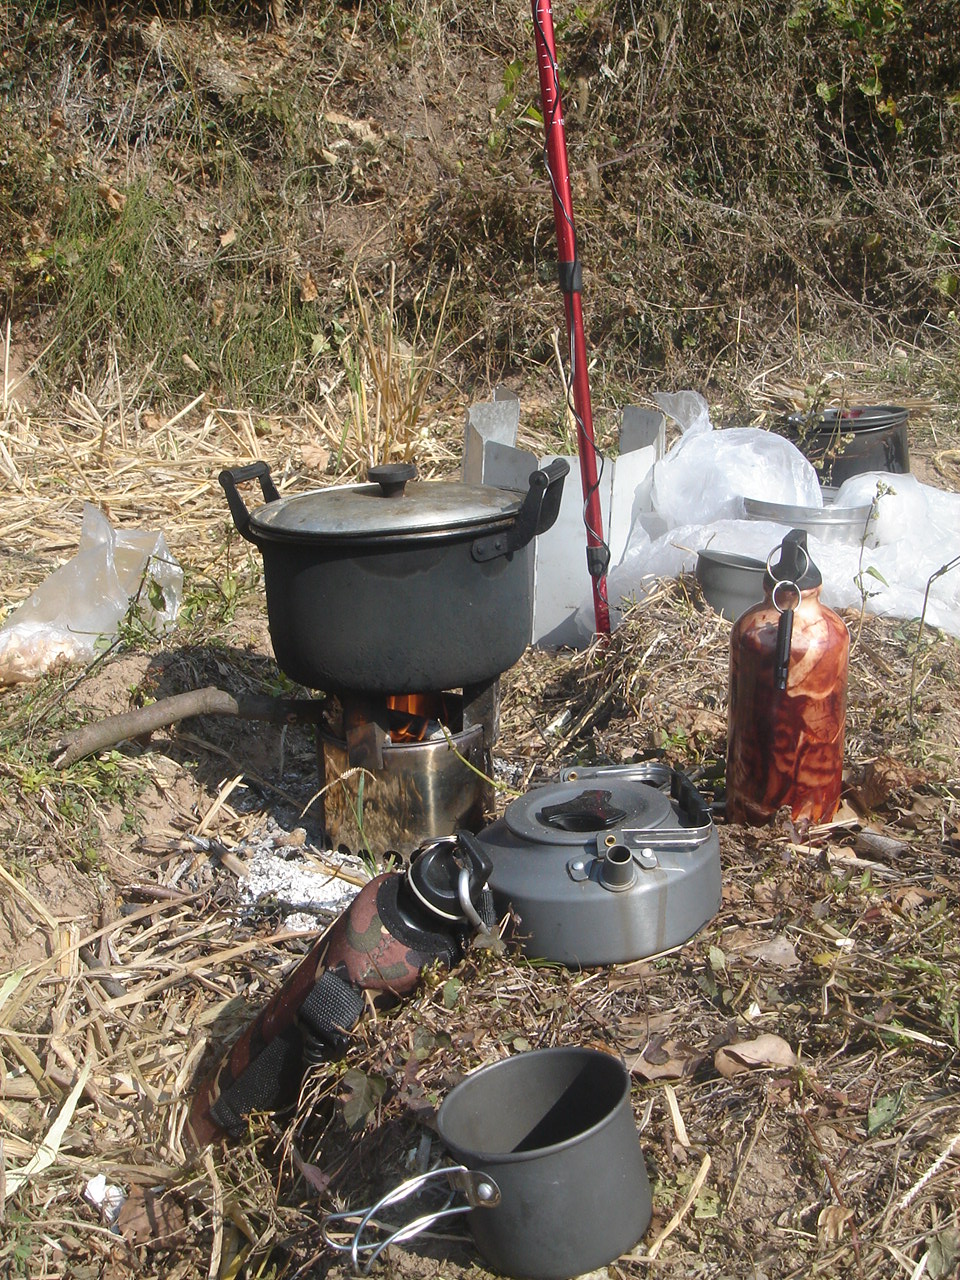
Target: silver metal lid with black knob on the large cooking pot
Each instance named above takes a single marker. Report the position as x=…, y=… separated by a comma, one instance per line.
x=394, y=505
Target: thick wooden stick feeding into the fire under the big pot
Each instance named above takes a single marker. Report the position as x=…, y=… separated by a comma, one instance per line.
x=99, y=735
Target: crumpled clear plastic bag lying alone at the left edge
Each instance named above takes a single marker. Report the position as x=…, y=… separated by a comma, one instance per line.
x=79, y=610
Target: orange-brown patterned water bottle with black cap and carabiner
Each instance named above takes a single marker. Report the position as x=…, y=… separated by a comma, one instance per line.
x=788, y=697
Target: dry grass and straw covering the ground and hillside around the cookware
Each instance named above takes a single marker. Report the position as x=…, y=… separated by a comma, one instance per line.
x=721, y=250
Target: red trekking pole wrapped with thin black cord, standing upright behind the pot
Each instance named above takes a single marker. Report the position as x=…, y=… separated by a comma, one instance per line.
x=572, y=285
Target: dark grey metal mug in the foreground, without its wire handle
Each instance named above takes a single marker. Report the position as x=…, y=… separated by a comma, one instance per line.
x=556, y=1132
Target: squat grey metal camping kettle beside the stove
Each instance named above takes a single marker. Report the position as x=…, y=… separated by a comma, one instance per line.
x=606, y=866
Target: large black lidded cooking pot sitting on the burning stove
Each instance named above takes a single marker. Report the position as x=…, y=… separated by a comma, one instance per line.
x=397, y=586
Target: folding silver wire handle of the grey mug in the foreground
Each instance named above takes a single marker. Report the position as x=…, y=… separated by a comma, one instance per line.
x=479, y=1190
